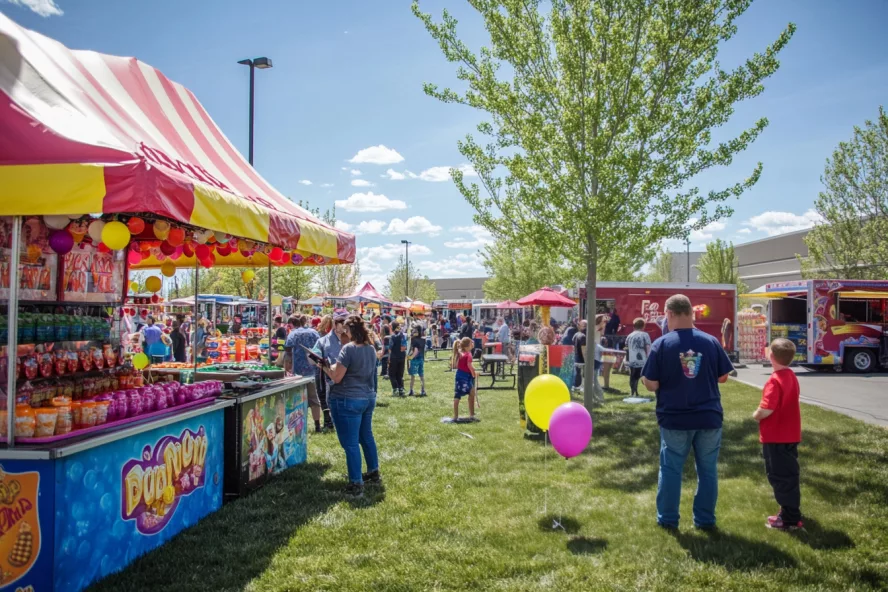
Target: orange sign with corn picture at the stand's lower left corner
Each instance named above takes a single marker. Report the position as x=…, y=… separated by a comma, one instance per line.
x=19, y=524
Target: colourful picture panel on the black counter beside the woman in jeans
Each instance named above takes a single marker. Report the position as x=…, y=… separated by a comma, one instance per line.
x=273, y=434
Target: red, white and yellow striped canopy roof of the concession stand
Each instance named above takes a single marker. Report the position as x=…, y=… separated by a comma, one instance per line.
x=87, y=133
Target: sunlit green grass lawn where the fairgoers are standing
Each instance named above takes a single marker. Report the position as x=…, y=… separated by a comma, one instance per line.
x=462, y=509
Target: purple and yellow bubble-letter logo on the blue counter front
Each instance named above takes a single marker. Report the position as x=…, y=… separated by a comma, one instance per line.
x=154, y=484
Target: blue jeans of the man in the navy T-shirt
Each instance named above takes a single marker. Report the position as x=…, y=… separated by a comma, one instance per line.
x=674, y=448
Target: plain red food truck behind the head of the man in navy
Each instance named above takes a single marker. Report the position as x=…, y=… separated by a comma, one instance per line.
x=715, y=306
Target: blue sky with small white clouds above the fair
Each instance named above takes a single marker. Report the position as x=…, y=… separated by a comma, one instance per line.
x=347, y=80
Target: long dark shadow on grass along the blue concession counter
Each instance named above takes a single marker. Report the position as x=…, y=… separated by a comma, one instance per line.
x=244, y=536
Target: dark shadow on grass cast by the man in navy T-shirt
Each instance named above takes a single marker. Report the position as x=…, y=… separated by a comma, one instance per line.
x=732, y=552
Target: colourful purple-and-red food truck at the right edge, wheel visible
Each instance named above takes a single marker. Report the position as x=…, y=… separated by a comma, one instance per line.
x=835, y=324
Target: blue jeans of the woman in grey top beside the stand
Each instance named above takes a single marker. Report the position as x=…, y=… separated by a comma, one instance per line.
x=352, y=419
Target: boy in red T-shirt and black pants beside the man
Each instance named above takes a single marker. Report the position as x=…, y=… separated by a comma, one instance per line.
x=780, y=431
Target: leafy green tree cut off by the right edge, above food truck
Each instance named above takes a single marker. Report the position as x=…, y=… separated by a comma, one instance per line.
x=850, y=243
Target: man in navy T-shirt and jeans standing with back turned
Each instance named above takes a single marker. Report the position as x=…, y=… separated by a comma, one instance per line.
x=685, y=368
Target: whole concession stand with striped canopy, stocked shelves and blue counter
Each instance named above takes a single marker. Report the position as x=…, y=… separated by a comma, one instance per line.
x=107, y=166
